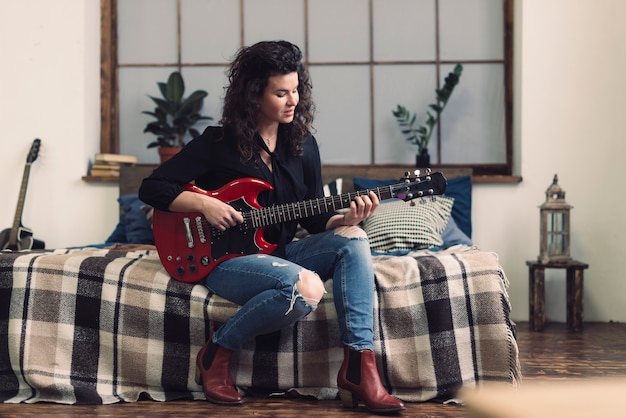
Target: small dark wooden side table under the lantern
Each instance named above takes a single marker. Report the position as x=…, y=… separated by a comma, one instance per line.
x=574, y=291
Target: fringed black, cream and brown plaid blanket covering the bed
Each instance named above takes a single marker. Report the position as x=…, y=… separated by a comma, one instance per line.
x=97, y=326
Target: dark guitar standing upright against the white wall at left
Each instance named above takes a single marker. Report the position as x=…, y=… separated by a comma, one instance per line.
x=18, y=237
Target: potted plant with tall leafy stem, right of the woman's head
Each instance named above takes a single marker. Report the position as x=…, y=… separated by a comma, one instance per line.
x=420, y=135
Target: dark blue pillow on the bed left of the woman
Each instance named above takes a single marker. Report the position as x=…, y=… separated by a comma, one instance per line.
x=133, y=227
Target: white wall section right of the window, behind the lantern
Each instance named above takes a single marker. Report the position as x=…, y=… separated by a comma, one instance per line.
x=571, y=56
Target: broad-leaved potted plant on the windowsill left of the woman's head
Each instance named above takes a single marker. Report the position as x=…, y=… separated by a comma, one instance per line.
x=175, y=116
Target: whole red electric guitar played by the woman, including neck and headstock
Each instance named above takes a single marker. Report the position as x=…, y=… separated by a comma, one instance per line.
x=189, y=247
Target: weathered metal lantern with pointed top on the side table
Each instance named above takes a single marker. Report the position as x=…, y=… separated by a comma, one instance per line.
x=555, y=226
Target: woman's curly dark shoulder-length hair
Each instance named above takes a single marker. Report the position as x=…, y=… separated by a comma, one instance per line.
x=248, y=76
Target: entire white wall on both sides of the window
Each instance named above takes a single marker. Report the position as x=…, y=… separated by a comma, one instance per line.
x=570, y=58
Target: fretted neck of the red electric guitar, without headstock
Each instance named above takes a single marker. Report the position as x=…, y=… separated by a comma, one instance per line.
x=300, y=210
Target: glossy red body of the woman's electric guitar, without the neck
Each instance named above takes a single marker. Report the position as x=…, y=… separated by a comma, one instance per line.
x=189, y=247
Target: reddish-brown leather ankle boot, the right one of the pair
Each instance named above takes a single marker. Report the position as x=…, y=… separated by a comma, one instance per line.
x=358, y=379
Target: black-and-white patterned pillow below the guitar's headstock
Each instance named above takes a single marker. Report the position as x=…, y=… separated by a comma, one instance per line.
x=402, y=226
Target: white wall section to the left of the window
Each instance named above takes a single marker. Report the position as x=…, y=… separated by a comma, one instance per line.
x=50, y=90
